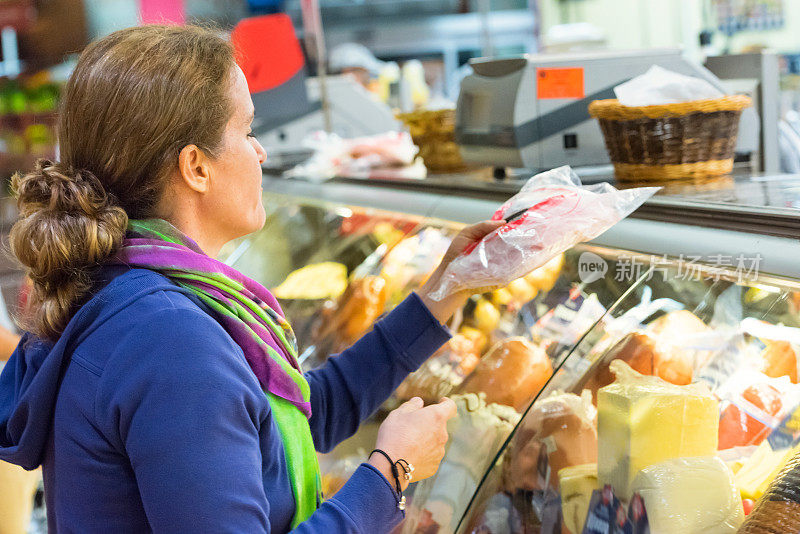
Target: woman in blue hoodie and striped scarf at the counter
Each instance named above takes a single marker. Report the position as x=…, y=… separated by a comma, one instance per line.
x=159, y=388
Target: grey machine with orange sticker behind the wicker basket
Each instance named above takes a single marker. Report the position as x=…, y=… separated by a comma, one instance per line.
x=532, y=111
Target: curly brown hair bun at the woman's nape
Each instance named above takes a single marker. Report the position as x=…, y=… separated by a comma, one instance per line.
x=68, y=225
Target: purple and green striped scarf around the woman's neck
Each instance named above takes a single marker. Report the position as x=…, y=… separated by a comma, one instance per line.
x=253, y=318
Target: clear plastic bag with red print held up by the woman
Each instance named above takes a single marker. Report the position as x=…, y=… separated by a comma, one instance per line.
x=551, y=213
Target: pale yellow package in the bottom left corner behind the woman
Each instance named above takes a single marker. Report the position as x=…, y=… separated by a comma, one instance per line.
x=17, y=488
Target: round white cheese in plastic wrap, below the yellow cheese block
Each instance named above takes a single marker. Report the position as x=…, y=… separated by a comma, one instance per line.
x=690, y=496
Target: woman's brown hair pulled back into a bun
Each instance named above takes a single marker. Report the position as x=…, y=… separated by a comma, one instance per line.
x=134, y=100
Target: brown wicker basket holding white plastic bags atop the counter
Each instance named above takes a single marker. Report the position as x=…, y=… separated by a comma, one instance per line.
x=689, y=140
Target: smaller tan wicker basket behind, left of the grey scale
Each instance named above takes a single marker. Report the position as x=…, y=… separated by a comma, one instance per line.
x=433, y=131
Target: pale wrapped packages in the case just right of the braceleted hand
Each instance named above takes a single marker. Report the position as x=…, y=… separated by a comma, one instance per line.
x=476, y=435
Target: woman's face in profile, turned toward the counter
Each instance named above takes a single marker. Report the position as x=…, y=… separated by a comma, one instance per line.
x=235, y=205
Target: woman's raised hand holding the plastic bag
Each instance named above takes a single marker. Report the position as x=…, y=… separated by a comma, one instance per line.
x=445, y=308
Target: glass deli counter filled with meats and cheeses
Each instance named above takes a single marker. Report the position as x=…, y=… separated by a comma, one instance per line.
x=667, y=346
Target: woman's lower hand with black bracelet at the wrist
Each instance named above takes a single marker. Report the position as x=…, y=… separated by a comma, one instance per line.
x=415, y=434
